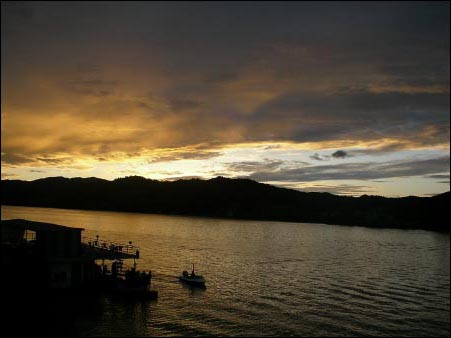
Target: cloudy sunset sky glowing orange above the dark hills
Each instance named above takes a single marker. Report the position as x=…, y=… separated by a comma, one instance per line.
x=350, y=98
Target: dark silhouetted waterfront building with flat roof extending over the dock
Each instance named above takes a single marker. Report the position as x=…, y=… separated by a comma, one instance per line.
x=44, y=255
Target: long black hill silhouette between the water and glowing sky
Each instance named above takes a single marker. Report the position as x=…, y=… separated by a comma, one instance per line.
x=228, y=198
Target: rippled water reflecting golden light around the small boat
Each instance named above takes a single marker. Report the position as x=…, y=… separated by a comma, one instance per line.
x=270, y=278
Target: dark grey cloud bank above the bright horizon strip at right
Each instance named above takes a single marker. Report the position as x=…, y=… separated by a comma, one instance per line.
x=309, y=117
